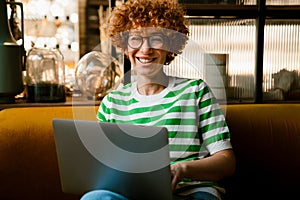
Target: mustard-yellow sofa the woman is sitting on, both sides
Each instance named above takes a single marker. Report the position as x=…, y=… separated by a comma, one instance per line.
x=265, y=137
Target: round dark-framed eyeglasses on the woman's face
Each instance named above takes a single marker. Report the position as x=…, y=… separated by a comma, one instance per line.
x=154, y=41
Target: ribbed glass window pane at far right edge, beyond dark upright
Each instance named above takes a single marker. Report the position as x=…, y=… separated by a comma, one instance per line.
x=281, y=60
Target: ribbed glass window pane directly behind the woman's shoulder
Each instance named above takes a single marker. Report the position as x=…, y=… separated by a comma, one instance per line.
x=229, y=44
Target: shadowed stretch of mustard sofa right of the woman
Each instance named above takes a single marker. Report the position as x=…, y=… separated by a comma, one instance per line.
x=266, y=141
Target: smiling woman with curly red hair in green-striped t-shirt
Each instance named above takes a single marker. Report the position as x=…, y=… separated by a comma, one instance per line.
x=152, y=33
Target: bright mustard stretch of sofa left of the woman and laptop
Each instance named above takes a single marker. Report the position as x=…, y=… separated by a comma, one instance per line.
x=28, y=163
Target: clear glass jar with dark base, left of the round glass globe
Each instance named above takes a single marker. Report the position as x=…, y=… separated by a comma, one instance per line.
x=45, y=75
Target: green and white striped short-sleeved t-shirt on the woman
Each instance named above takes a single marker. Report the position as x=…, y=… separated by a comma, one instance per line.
x=187, y=108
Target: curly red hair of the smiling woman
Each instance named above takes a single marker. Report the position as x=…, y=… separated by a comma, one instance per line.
x=165, y=14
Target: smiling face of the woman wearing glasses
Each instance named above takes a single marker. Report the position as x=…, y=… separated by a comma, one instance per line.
x=146, y=49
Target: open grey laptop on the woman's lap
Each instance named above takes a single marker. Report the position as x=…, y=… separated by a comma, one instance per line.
x=131, y=160
